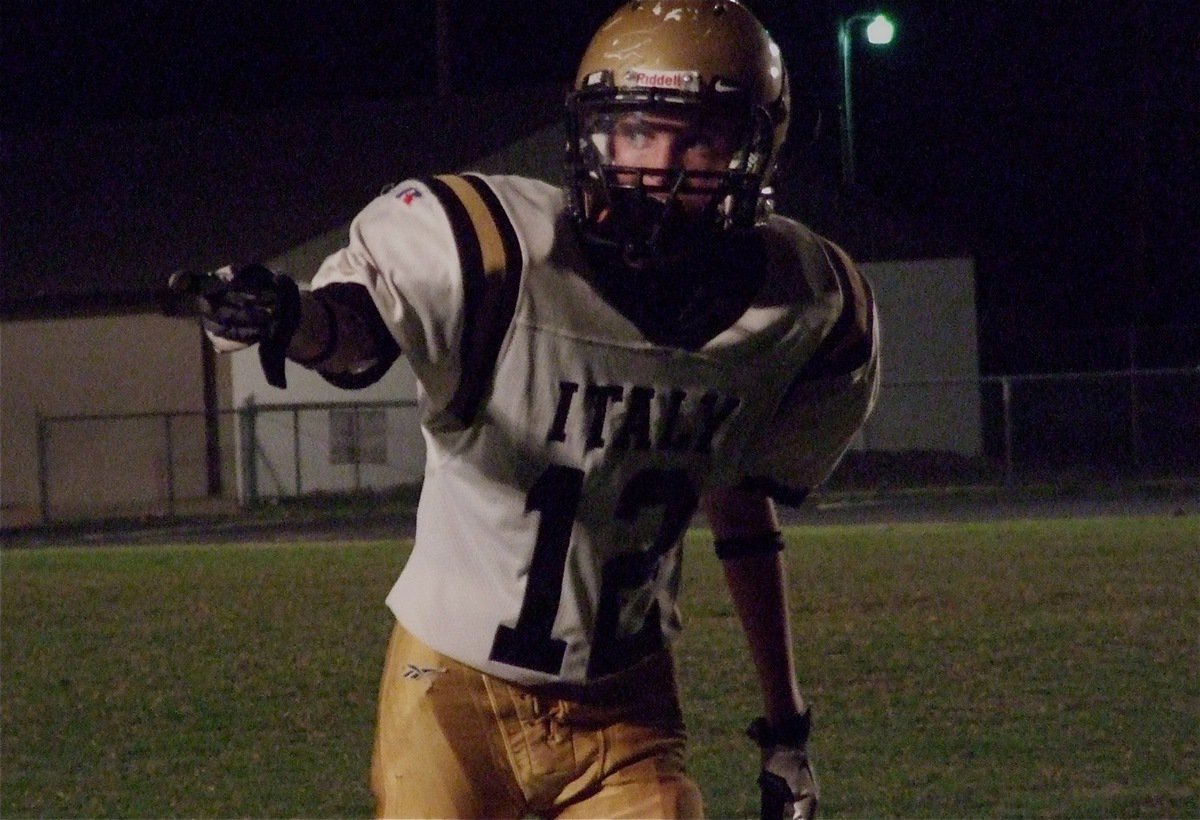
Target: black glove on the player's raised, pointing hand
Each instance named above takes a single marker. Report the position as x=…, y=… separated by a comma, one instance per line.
x=251, y=306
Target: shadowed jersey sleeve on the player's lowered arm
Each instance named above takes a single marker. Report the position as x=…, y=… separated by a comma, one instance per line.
x=829, y=400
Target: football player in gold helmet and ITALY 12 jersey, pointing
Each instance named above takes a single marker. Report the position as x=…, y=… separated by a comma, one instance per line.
x=597, y=362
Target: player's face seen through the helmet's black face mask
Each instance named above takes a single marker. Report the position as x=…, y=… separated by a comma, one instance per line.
x=675, y=142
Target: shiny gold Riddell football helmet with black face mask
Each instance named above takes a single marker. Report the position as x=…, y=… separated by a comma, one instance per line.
x=676, y=58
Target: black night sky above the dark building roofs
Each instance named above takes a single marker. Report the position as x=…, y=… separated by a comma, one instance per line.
x=1060, y=137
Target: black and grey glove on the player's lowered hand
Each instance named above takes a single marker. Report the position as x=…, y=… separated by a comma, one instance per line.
x=789, y=787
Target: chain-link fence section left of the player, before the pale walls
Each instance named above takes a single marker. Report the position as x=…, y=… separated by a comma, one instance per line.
x=173, y=464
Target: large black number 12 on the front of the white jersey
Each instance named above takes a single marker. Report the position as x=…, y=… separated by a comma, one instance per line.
x=556, y=496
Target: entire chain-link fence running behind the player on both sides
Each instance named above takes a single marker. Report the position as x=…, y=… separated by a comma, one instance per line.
x=1131, y=426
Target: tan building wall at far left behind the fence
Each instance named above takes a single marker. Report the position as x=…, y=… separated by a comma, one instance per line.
x=95, y=367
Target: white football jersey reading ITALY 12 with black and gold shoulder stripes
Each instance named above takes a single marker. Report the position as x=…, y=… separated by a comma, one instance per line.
x=566, y=452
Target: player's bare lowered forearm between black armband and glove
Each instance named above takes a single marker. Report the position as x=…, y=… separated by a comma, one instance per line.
x=758, y=589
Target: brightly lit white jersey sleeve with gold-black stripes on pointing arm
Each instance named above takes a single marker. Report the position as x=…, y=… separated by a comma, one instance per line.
x=442, y=265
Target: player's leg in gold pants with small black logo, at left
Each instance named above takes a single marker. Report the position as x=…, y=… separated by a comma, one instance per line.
x=436, y=741
